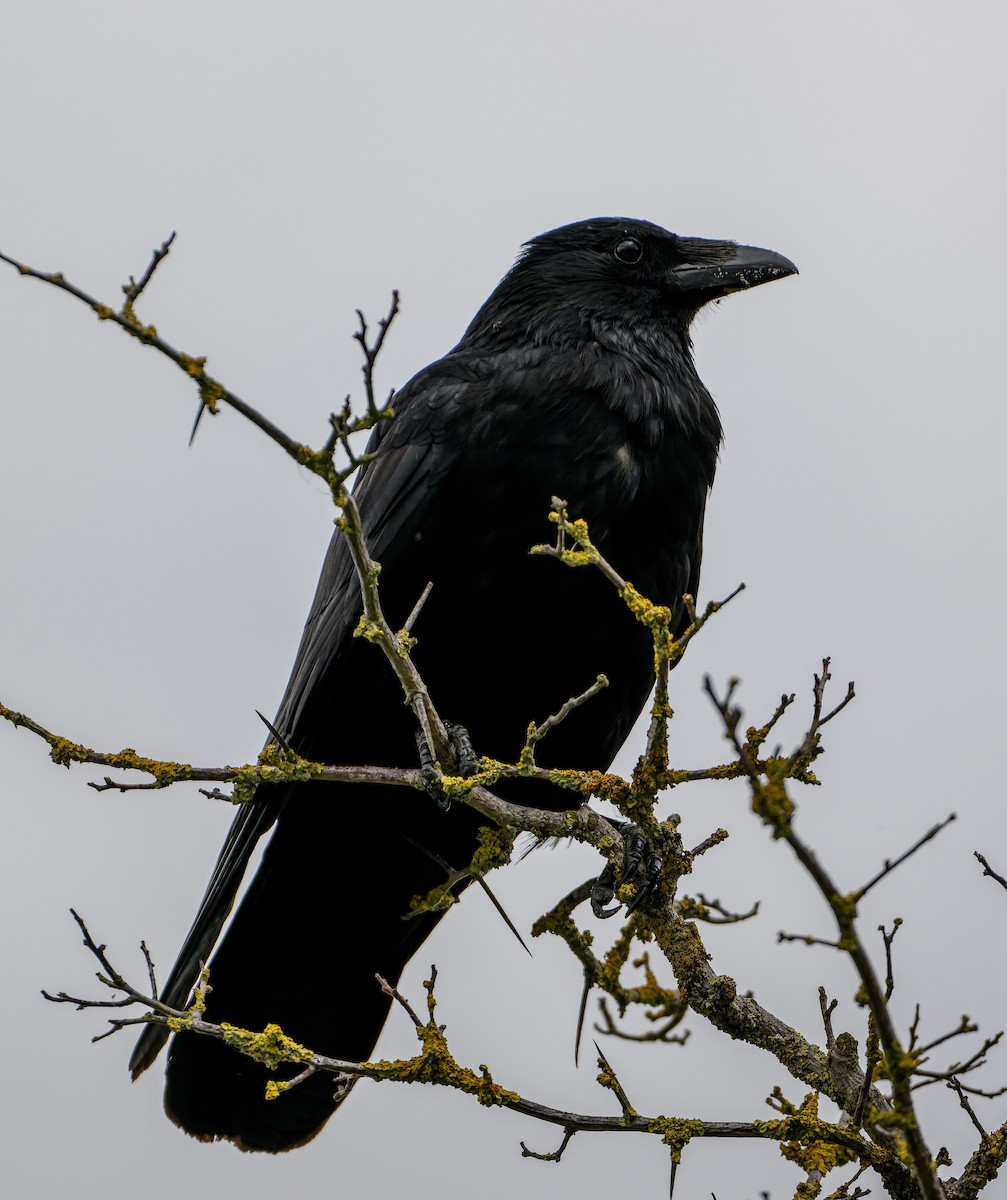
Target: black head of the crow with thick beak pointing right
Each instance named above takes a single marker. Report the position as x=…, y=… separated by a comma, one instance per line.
x=615, y=271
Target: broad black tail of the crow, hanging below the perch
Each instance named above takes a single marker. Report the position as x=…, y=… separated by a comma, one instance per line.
x=322, y=917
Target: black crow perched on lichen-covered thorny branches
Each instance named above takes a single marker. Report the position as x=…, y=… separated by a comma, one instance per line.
x=574, y=380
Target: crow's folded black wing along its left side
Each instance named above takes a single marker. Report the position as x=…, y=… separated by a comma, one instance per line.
x=394, y=495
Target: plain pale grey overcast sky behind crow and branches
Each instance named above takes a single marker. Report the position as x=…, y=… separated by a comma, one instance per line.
x=311, y=158
